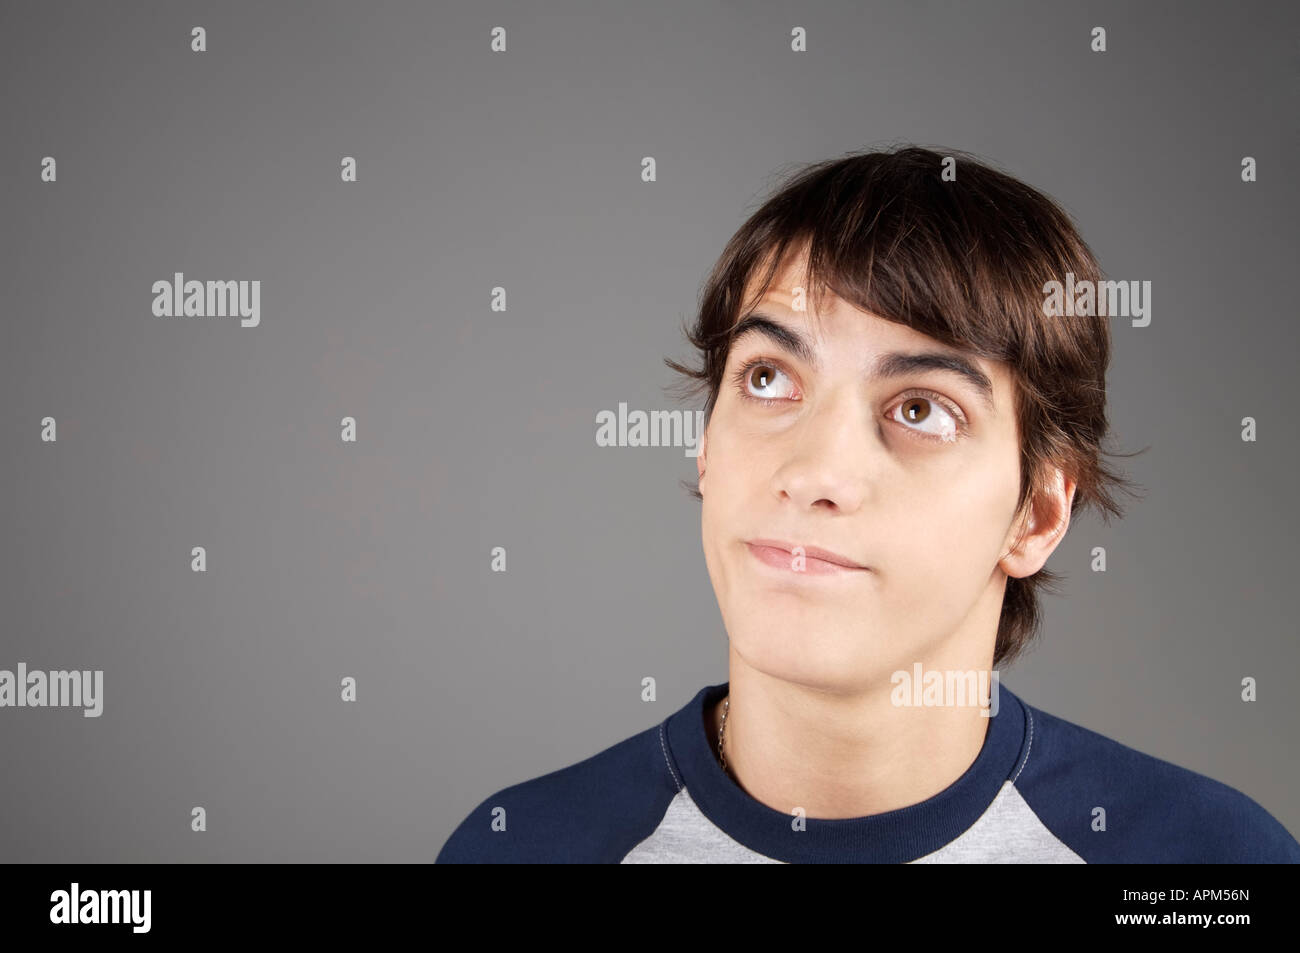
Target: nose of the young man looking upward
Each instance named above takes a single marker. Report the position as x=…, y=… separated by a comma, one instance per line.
x=829, y=456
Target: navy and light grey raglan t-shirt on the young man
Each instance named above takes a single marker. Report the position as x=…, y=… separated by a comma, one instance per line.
x=1041, y=791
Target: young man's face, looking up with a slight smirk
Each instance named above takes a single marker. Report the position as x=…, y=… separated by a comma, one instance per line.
x=912, y=475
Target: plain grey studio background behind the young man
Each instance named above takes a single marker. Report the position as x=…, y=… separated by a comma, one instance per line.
x=476, y=428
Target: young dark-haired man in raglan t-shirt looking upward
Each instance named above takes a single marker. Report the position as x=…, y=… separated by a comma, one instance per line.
x=898, y=439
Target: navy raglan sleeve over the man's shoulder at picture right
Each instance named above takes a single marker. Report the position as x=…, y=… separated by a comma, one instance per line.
x=1113, y=804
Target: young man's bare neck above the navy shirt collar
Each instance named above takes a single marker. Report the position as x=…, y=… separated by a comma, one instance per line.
x=846, y=753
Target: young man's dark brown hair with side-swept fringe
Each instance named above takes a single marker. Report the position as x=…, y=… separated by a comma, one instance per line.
x=964, y=262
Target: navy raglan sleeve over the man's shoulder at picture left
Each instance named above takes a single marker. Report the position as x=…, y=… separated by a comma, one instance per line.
x=592, y=812
